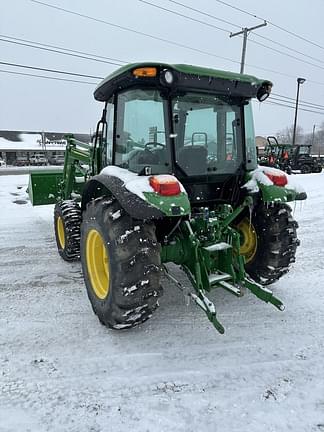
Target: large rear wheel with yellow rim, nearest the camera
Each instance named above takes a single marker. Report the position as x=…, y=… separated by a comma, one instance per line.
x=121, y=264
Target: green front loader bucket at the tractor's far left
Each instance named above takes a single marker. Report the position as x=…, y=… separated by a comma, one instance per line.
x=44, y=186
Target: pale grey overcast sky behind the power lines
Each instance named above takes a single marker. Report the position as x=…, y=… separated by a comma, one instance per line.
x=29, y=103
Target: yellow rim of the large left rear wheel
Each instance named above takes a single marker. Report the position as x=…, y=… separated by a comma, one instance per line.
x=97, y=264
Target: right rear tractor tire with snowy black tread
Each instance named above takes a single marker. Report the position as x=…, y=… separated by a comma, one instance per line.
x=276, y=243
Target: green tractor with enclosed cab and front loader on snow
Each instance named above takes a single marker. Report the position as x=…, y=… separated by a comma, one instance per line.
x=171, y=177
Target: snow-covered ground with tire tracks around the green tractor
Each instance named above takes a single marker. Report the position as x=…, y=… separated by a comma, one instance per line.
x=60, y=370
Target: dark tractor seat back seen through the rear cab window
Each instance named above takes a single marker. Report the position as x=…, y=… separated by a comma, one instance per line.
x=193, y=159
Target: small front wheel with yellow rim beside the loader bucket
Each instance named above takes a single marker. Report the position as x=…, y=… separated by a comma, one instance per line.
x=67, y=221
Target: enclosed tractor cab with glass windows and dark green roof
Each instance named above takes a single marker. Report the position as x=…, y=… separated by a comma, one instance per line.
x=192, y=122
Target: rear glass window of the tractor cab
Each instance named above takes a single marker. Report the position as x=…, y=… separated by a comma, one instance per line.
x=207, y=134
